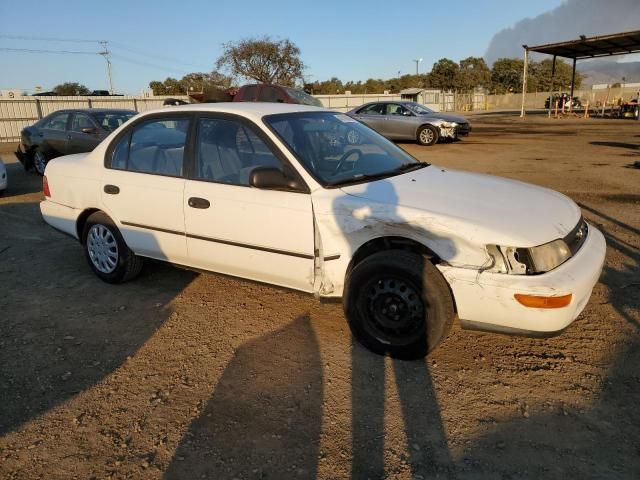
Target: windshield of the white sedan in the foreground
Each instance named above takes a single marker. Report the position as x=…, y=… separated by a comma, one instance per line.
x=338, y=150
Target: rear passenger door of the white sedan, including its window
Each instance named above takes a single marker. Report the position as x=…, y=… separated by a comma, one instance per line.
x=143, y=187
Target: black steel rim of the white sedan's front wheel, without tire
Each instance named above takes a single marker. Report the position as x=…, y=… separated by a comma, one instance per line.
x=396, y=311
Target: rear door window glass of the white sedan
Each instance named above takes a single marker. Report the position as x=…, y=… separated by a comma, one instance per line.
x=156, y=146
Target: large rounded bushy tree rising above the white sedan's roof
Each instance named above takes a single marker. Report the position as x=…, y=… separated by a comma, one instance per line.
x=263, y=59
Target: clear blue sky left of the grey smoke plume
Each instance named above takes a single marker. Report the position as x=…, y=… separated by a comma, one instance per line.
x=151, y=40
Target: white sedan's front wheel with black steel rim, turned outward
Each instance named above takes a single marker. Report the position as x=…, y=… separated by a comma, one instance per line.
x=413, y=287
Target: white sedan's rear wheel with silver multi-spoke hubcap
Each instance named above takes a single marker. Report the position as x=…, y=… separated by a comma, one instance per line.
x=106, y=251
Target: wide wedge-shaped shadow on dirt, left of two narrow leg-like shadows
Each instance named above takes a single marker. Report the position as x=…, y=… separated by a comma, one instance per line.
x=264, y=417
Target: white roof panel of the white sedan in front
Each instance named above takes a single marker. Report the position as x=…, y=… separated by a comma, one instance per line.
x=254, y=110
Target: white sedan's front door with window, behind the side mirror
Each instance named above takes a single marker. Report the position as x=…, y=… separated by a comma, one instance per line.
x=233, y=228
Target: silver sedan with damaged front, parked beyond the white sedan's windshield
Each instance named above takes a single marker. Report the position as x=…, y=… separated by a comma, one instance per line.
x=410, y=121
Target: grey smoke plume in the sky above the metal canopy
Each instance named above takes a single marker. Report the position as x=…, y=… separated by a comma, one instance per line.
x=566, y=22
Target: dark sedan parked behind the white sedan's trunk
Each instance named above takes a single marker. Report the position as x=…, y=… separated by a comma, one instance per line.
x=65, y=132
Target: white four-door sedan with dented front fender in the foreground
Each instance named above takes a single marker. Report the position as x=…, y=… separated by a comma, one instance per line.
x=310, y=199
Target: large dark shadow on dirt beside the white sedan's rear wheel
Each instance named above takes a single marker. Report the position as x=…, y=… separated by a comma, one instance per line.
x=48, y=354
